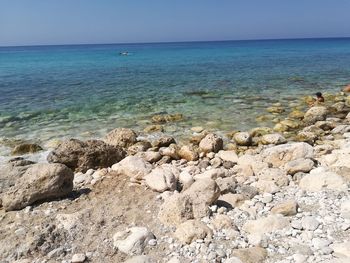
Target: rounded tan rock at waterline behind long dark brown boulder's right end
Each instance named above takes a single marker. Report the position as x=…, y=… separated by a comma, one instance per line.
x=121, y=137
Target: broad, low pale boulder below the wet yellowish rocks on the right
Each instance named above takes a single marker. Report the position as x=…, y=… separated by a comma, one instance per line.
x=281, y=154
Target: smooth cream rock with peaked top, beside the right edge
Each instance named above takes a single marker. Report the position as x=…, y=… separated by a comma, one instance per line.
x=320, y=179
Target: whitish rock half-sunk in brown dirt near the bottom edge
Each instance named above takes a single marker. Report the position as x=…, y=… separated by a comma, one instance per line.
x=133, y=240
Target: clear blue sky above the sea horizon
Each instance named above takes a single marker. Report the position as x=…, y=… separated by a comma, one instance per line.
x=30, y=22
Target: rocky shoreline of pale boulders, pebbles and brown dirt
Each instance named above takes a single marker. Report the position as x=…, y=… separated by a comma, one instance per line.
x=265, y=195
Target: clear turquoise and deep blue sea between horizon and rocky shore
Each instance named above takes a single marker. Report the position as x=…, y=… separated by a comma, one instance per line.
x=51, y=92
